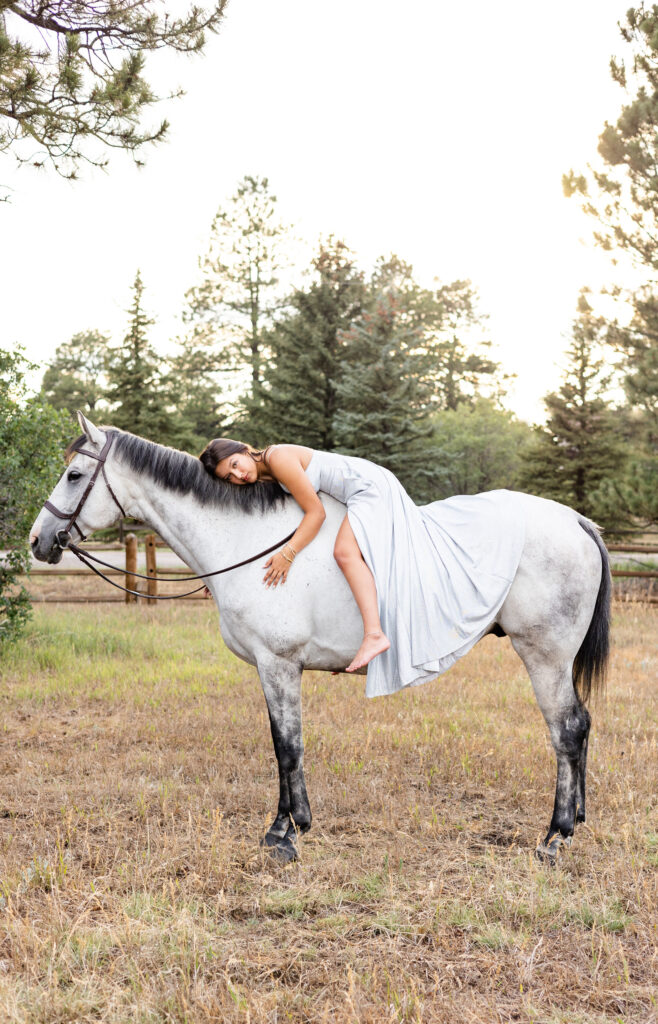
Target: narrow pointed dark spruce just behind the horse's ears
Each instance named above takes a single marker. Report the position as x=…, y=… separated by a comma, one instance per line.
x=135, y=386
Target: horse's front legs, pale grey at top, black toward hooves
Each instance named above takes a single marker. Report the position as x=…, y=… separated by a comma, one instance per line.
x=282, y=681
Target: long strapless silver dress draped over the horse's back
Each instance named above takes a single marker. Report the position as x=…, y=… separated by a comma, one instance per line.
x=443, y=571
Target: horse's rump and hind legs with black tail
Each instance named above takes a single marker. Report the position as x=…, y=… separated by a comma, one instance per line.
x=556, y=616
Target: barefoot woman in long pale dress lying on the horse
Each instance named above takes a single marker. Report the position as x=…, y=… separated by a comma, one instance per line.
x=428, y=581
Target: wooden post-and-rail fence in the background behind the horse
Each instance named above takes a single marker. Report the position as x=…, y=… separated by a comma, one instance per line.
x=149, y=588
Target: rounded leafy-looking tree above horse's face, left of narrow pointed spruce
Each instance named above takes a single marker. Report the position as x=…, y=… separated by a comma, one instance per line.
x=75, y=378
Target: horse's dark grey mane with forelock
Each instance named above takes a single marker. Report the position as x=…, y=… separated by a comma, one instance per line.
x=185, y=475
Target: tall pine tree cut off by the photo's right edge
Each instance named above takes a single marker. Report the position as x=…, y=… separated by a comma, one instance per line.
x=623, y=195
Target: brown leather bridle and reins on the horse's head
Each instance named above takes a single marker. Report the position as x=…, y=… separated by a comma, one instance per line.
x=65, y=541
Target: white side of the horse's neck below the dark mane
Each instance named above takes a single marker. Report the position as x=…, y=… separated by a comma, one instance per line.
x=203, y=536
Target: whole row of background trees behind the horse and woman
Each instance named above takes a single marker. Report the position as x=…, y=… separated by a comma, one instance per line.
x=371, y=365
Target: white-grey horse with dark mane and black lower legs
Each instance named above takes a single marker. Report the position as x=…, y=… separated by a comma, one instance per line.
x=556, y=613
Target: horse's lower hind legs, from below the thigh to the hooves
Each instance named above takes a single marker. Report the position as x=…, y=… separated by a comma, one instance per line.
x=568, y=723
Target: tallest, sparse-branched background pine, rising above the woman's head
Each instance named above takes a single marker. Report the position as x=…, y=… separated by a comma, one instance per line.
x=231, y=310
